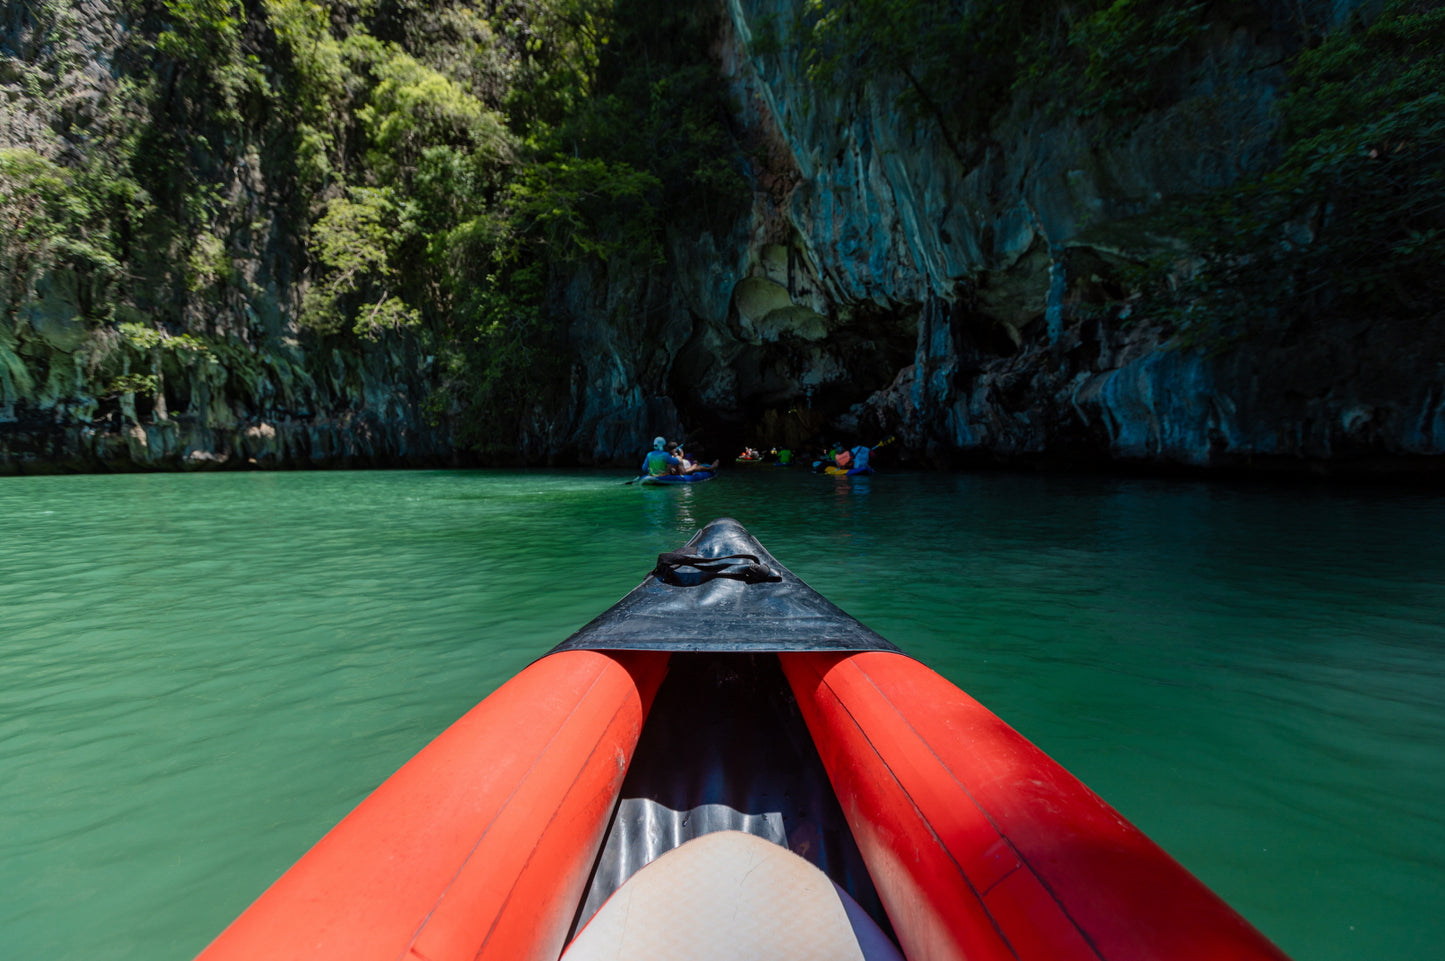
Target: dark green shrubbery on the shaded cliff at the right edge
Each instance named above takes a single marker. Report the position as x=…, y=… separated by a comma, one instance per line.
x=1352, y=220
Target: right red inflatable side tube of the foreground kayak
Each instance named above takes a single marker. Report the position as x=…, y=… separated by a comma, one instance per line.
x=982, y=846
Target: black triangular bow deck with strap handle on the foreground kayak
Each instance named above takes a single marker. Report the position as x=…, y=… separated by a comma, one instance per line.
x=722, y=605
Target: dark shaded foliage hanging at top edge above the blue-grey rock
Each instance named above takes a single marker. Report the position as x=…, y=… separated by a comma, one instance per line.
x=963, y=64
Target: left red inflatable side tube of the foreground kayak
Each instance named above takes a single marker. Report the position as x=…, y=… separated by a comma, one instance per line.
x=480, y=846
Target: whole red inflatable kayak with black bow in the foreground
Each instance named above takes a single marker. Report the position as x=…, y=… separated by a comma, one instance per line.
x=726, y=755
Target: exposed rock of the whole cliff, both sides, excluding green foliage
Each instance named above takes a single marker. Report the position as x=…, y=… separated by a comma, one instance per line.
x=882, y=283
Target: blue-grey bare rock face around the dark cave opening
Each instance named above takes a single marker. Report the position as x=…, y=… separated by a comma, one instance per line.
x=881, y=284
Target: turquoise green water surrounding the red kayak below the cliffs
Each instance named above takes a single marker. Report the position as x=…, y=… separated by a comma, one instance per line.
x=202, y=674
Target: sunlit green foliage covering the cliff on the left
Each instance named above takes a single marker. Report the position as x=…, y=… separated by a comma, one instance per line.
x=413, y=167
